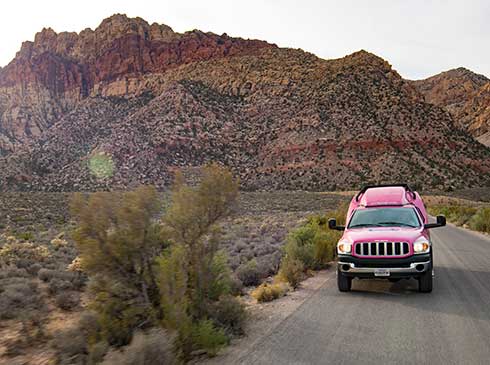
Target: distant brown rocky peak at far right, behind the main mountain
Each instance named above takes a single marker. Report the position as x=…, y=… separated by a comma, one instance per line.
x=466, y=95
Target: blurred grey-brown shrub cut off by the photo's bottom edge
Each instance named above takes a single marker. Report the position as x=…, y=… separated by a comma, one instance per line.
x=154, y=347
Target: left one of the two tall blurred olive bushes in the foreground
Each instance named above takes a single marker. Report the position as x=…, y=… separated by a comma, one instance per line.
x=118, y=236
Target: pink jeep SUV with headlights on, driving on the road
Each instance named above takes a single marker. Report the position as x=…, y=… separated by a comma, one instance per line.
x=386, y=236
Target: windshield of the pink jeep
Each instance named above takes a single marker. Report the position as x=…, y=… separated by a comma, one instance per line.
x=384, y=217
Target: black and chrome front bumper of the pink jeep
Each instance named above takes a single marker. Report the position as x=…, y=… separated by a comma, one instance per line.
x=398, y=268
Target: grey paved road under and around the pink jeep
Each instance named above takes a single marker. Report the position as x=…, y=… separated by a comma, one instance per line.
x=384, y=323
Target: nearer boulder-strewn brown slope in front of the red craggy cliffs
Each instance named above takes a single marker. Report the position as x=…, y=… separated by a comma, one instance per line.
x=280, y=118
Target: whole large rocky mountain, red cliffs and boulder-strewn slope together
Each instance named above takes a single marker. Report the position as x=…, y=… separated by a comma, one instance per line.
x=131, y=102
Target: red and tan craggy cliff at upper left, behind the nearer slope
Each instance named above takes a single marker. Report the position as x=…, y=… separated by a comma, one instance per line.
x=51, y=75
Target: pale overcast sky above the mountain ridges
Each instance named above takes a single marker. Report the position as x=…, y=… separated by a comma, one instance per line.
x=419, y=38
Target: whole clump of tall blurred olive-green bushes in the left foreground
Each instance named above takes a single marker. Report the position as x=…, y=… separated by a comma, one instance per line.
x=156, y=263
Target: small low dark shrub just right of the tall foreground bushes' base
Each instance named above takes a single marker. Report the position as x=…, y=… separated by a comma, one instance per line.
x=229, y=313
